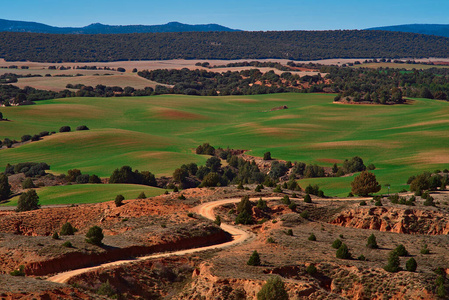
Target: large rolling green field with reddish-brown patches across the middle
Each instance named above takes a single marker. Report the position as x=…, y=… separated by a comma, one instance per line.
x=160, y=133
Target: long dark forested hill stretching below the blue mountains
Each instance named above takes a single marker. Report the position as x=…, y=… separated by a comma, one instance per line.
x=292, y=45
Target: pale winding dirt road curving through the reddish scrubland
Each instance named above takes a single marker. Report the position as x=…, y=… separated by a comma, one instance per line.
x=206, y=210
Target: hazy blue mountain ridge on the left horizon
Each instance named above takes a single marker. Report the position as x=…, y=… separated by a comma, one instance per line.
x=98, y=28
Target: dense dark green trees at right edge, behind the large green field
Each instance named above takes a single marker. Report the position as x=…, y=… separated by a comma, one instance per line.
x=385, y=85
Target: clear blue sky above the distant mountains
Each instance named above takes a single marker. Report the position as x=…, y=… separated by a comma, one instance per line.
x=240, y=14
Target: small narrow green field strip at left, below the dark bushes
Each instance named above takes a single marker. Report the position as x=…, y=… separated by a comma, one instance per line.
x=89, y=193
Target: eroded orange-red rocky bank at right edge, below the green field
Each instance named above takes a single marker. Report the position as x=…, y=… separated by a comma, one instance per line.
x=407, y=220
